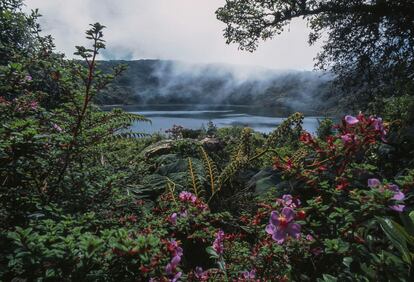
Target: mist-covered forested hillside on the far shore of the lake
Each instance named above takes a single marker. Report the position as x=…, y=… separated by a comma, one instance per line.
x=170, y=82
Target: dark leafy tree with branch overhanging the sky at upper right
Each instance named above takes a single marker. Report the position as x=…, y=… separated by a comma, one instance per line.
x=369, y=46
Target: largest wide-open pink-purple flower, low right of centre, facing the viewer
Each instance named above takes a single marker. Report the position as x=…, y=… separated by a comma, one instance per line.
x=281, y=225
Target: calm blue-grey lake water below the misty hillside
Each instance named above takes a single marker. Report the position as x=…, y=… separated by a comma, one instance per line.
x=260, y=119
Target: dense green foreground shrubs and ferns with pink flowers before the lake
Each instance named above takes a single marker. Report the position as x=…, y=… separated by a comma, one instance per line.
x=84, y=199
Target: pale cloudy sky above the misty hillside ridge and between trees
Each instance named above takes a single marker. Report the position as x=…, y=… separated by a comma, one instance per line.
x=183, y=30
